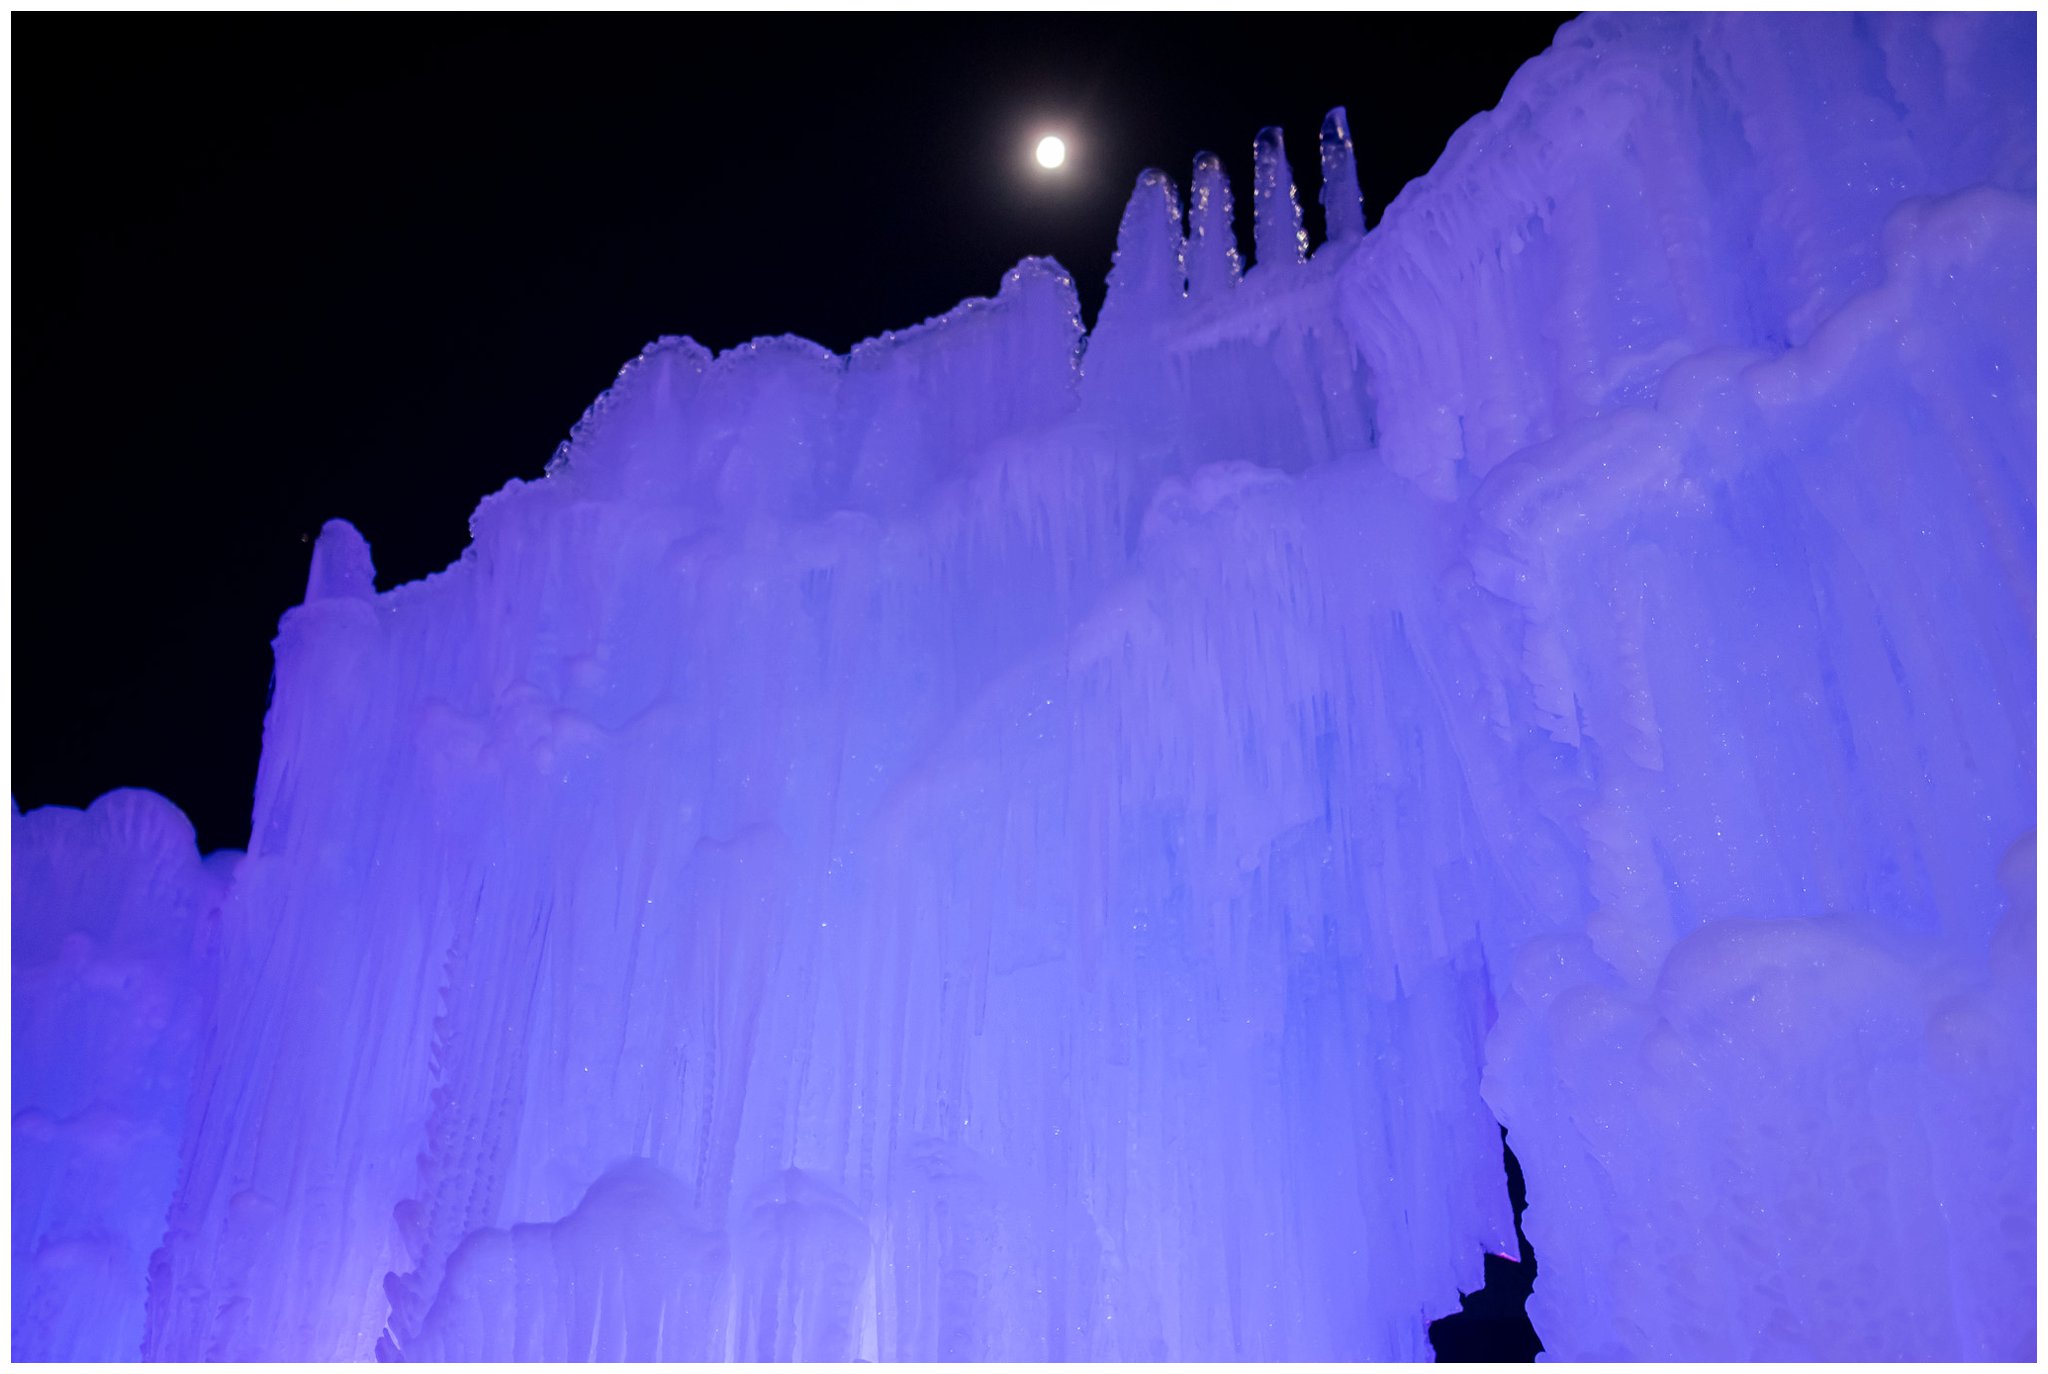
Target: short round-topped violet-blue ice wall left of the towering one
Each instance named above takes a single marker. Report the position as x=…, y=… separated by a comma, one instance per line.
x=114, y=982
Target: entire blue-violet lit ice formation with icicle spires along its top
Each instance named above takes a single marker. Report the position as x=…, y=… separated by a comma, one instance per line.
x=998, y=849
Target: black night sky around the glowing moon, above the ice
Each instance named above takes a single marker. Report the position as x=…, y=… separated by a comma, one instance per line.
x=376, y=269
